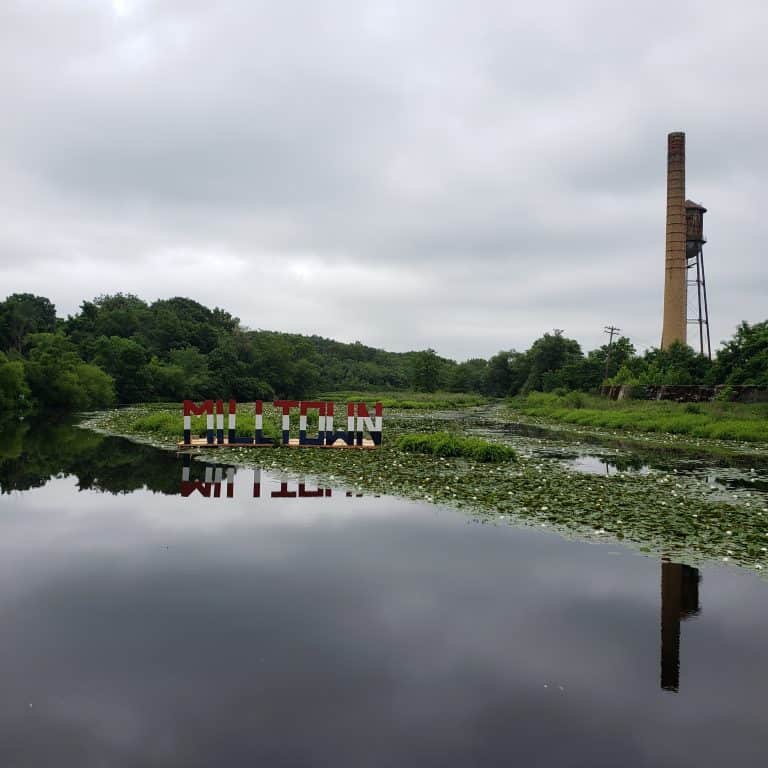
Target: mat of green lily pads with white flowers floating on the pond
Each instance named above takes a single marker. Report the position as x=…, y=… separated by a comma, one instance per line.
x=662, y=513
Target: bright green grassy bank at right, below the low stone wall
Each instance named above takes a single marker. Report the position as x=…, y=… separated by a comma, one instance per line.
x=718, y=421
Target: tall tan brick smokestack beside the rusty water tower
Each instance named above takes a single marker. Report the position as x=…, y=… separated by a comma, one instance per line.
x=675, y=324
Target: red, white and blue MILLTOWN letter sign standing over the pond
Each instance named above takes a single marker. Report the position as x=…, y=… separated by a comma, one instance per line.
x=359, y=420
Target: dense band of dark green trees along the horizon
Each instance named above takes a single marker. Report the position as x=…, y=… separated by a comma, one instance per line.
x=121, y=349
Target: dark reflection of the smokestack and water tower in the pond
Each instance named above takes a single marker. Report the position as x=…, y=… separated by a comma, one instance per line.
x=679, y=600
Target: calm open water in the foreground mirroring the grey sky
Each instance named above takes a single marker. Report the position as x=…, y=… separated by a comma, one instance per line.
x=153, y=616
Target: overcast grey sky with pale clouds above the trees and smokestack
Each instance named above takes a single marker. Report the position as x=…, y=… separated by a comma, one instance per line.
x=456, y=175
